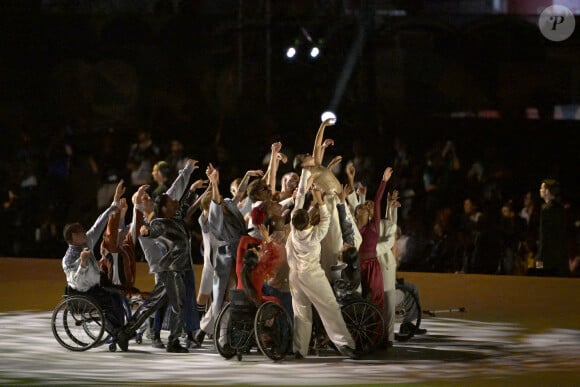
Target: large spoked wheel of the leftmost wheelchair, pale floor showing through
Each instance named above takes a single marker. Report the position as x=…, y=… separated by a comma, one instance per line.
x=78, y=323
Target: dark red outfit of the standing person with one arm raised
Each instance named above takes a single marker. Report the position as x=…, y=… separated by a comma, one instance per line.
x=371, y=275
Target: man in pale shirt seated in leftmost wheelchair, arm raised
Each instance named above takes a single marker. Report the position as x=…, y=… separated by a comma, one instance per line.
x=82, y=270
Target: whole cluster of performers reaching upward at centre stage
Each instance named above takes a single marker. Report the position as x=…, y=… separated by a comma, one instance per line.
x=274, y=241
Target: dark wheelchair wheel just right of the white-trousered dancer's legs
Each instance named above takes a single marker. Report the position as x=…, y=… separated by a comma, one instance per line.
x=365, y=323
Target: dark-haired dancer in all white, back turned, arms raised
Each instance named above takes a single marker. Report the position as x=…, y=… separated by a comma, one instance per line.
x=308, y=283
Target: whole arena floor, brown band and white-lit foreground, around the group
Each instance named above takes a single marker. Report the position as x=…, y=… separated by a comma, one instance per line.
x=497, y=341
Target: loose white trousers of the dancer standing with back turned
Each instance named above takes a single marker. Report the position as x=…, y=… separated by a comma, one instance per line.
x=313, y=288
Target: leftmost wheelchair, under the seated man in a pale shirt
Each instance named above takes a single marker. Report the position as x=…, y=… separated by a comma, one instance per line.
x=78, y=321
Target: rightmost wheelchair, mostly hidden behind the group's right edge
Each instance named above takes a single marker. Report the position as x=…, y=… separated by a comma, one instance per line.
x=407, y=310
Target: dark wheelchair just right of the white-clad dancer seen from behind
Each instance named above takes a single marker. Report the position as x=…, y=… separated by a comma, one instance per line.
x=364, y=320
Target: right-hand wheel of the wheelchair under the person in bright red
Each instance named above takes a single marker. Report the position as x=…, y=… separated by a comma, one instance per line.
x=273, y=330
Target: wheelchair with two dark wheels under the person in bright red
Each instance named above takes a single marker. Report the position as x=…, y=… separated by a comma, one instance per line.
x=241, y=325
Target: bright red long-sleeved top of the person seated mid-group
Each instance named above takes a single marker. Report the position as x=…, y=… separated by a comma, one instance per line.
x=270, y=260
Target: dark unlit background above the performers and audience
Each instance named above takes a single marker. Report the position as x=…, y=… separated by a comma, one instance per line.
x=213, y=74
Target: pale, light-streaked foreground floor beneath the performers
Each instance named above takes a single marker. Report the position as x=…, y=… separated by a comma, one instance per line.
x=454, y=351
